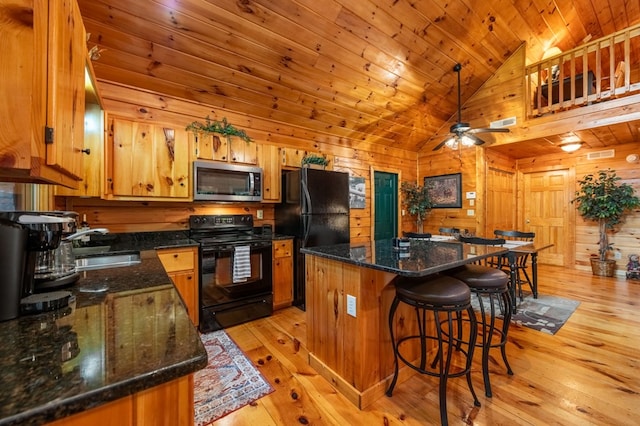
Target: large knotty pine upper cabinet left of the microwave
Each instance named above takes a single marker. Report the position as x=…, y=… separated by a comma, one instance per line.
x=147, y=160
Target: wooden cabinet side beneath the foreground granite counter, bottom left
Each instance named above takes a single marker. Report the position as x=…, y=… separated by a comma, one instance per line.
x=168, y=404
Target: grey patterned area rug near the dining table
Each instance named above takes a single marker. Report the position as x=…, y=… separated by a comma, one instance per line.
x=546, y=314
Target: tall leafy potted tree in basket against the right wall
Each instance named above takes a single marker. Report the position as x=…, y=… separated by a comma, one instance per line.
x=602, y=198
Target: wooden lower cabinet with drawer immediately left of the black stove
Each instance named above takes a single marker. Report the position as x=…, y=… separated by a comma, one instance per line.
x=181, y=265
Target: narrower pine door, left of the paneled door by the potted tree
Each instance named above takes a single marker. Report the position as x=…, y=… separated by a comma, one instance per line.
x=500, y=201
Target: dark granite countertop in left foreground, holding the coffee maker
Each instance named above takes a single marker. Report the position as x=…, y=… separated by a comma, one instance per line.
x=131, y=330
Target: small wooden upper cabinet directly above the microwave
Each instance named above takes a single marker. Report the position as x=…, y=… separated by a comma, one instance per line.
x=221, y=148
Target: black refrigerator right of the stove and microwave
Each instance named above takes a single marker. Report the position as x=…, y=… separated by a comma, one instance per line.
x=315, y=211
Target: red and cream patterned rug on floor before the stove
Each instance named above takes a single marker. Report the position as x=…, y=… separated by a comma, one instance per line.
x=228, y=382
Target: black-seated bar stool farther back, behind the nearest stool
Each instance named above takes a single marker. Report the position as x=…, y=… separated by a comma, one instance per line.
x=490, y=285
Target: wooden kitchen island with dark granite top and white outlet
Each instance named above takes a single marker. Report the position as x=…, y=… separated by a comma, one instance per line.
x=349, y=289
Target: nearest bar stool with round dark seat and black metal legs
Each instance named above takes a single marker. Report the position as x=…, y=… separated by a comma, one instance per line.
x=440, y=295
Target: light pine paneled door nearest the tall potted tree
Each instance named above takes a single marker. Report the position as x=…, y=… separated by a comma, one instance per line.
x=546, y=200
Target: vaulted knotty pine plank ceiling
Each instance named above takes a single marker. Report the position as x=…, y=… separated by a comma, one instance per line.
x=342, y=71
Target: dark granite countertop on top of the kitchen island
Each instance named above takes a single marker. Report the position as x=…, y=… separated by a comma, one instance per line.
x=424, y=257
